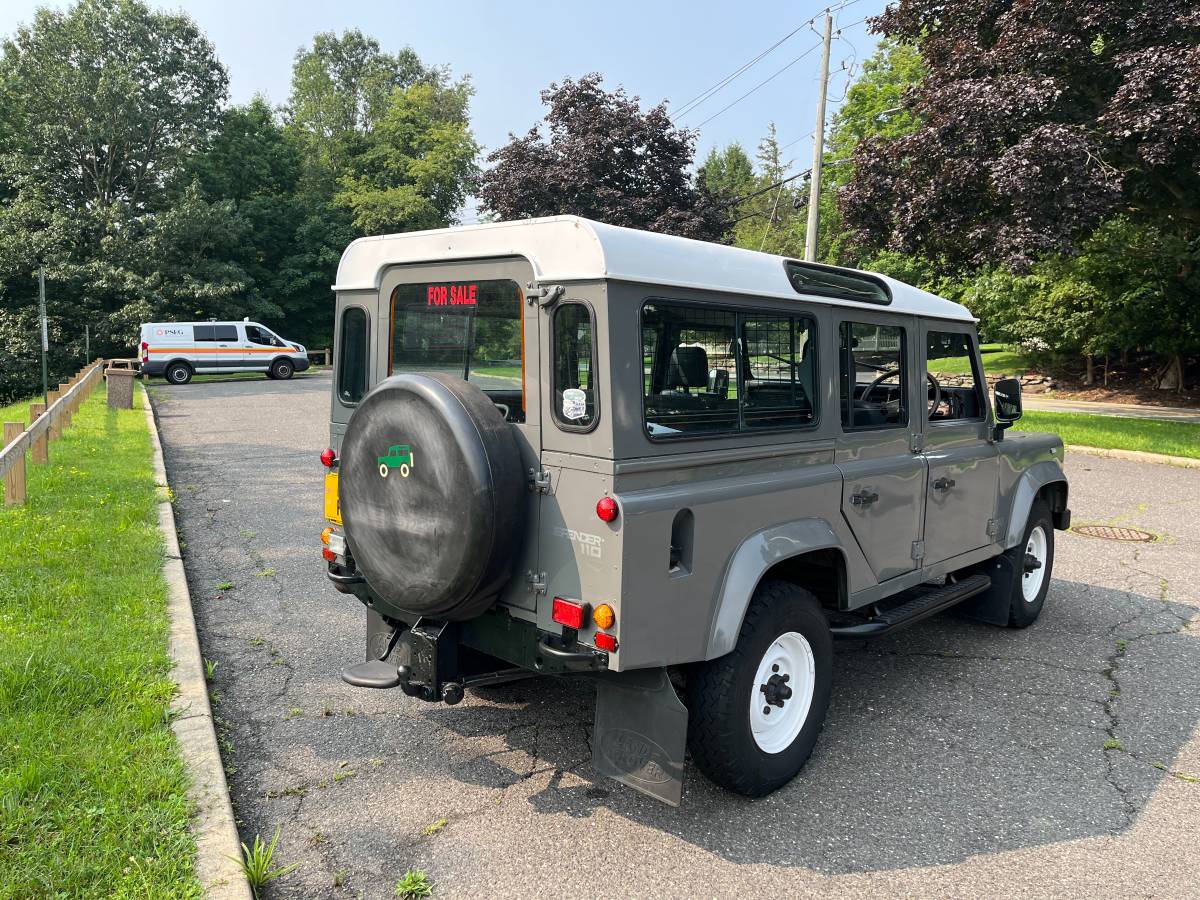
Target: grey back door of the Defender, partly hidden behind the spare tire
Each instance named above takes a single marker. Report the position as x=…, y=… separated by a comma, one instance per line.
x=471, y=320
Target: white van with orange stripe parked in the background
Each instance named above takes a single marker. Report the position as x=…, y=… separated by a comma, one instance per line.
x=181, y=350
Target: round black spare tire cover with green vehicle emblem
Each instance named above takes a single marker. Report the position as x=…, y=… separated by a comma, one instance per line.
x=434, y=496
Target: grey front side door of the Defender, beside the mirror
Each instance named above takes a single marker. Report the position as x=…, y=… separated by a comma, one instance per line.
x=964, y=465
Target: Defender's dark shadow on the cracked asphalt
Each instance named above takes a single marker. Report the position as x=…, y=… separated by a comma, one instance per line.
x=947, y=741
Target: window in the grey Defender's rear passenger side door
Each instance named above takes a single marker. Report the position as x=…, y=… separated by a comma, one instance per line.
x=874, y=376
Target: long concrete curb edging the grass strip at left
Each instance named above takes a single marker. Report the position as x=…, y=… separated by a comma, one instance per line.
x=218, y=848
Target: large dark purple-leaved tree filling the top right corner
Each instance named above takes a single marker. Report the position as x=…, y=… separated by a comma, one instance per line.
x=1043, y=130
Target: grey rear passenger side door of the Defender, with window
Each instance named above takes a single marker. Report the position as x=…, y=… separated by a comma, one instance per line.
x=884, y=479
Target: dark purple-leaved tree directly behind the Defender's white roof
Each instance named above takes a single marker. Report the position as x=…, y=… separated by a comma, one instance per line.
x=603, y=159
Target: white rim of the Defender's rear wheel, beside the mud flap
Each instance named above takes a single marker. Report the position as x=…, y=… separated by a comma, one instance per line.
x=775, y=727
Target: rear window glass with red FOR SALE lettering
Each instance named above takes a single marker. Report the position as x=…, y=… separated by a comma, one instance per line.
x=469, y=329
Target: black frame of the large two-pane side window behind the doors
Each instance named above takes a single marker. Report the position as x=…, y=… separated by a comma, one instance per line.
x=740, y=314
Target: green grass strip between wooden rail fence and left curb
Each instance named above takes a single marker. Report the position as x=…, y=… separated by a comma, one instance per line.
x=93, y=793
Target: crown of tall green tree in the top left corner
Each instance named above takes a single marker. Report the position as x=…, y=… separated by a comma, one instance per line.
x=104, y=101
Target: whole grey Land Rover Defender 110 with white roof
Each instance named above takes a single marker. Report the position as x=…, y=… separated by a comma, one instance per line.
x=676, y=469
